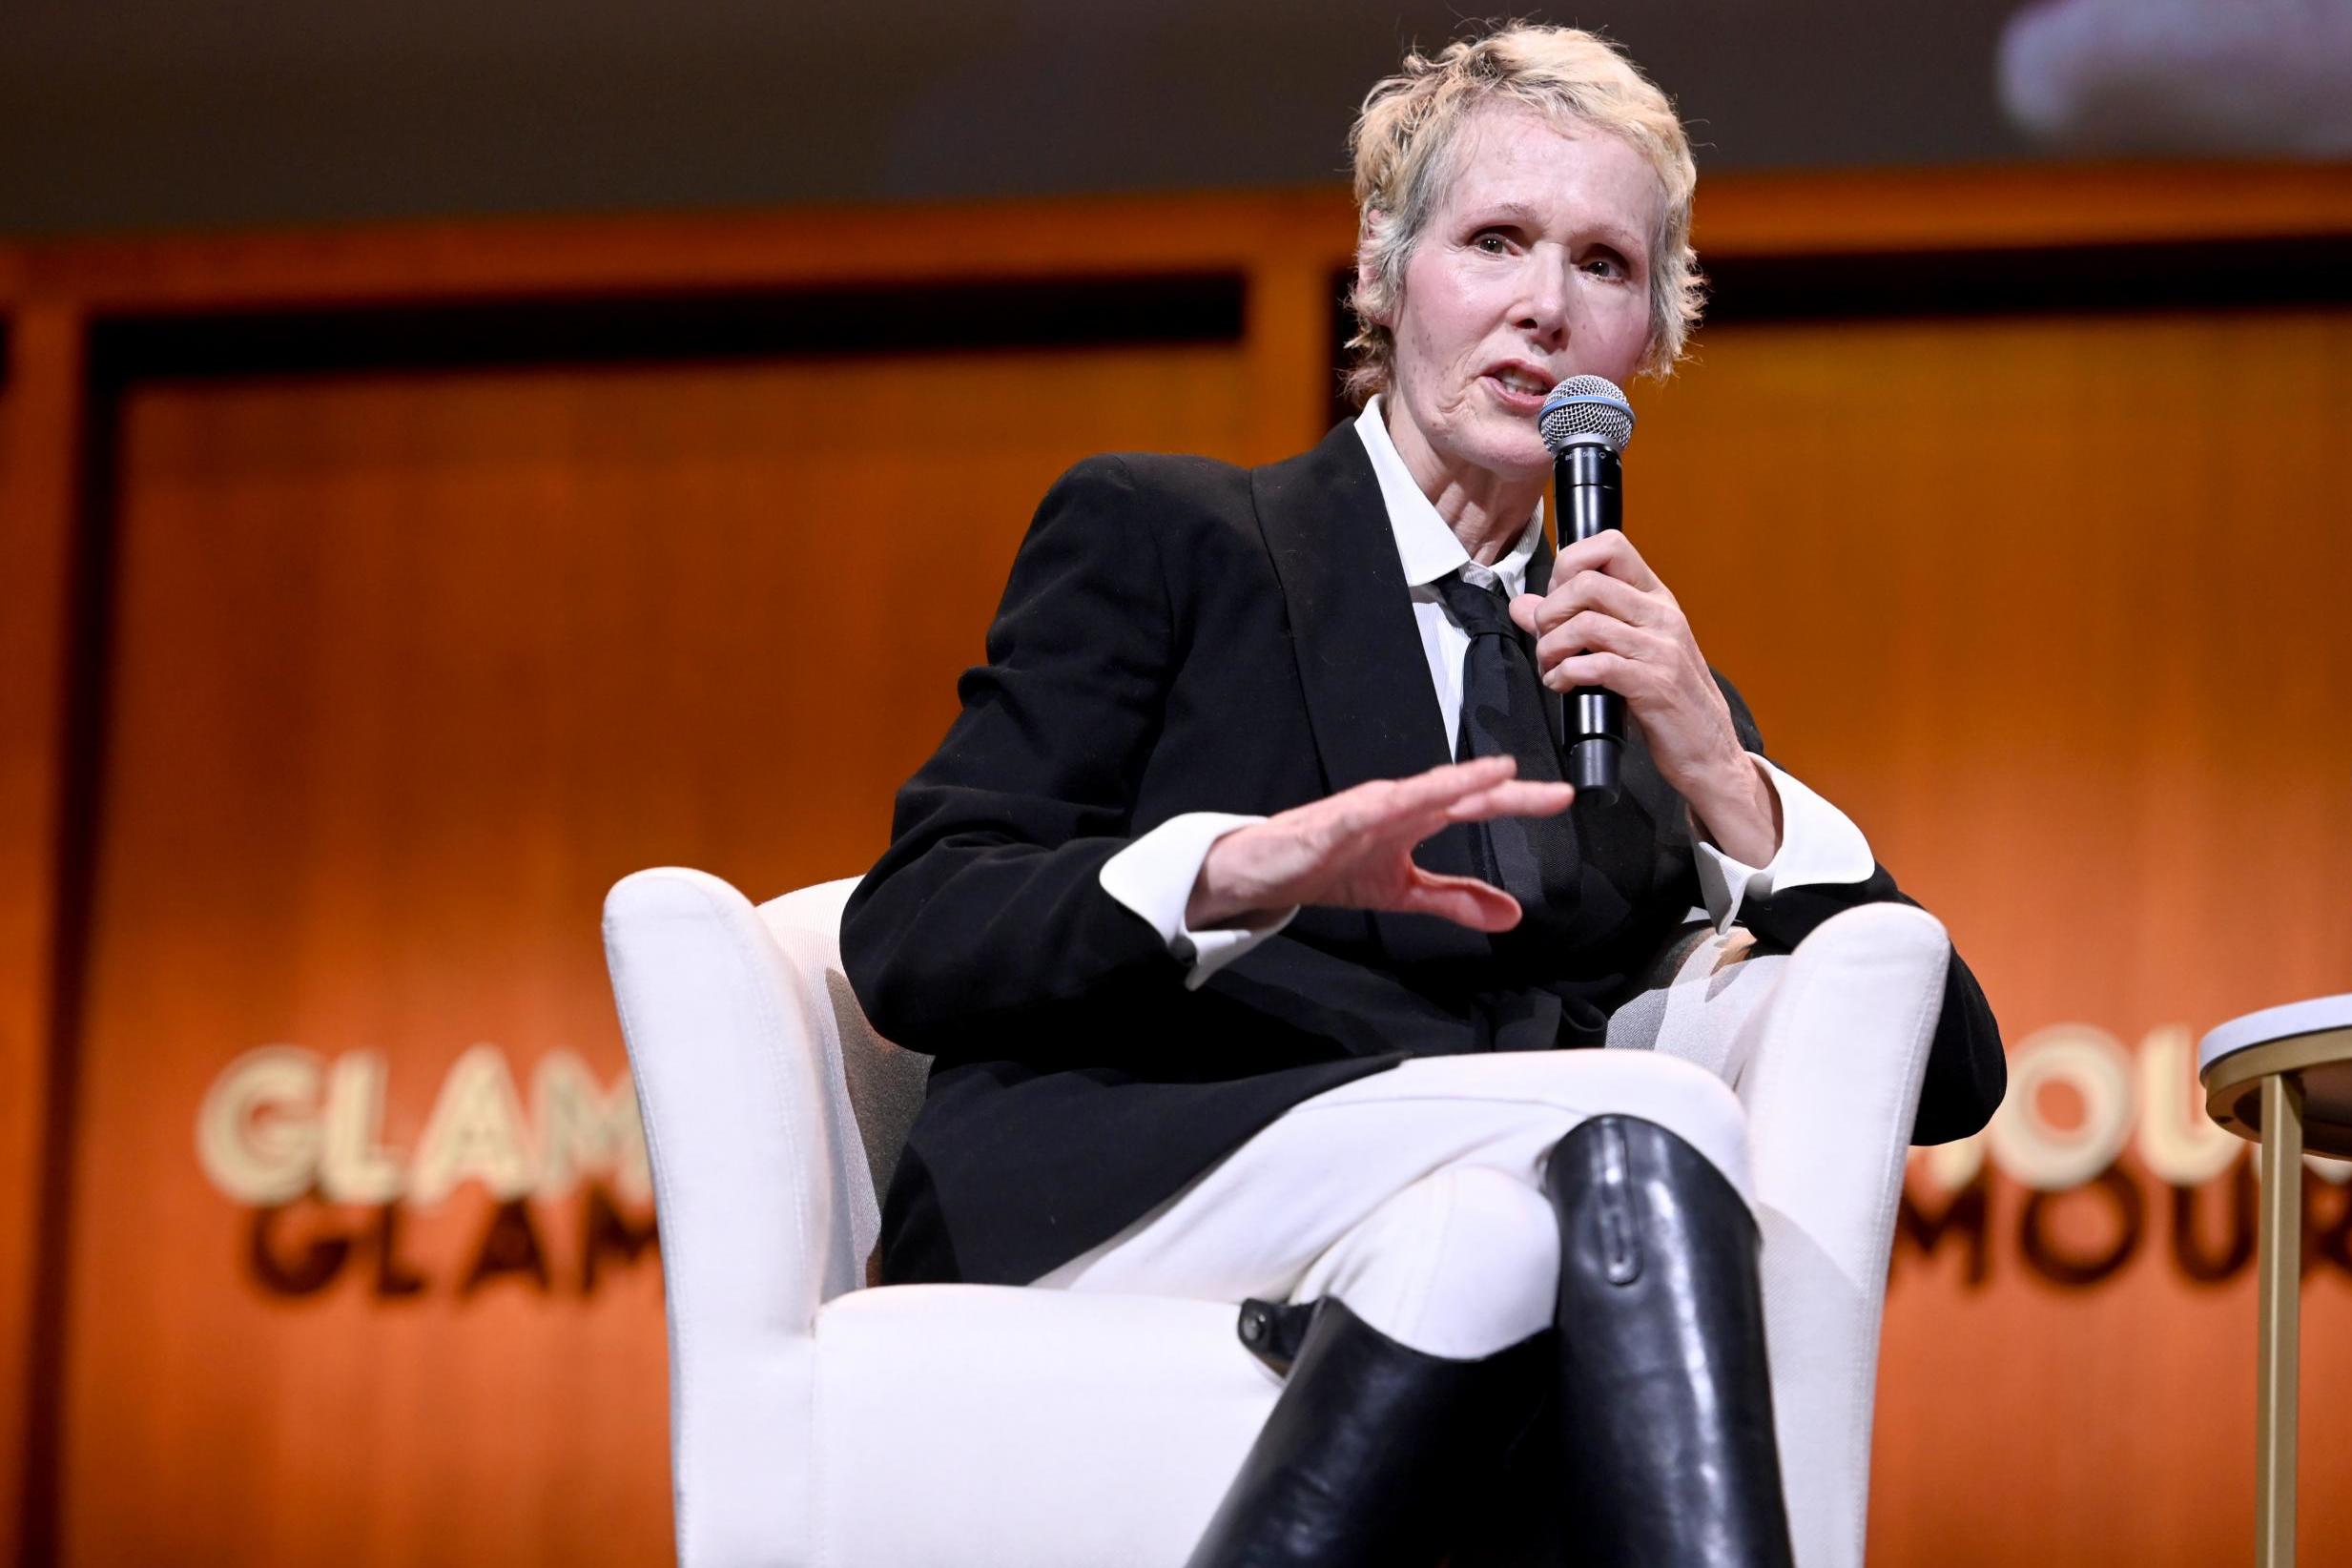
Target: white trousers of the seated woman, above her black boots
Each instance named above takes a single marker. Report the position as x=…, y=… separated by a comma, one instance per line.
x=1415, y=1195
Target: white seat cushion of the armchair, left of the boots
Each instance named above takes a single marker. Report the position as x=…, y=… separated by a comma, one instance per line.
x=1003, y=1428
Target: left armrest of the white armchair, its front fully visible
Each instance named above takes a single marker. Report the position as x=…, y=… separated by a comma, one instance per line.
x=747, y=1191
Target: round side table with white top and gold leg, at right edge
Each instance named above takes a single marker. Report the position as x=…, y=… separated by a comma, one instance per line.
x=2280, y=1078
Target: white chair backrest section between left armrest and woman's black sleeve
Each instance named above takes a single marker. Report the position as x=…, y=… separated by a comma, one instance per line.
x=874, y=1085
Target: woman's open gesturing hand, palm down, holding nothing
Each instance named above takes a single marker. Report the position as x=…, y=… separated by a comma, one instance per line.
x=1356, y=850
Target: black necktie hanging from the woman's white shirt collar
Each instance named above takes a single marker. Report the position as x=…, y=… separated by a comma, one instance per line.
x=1504, y=716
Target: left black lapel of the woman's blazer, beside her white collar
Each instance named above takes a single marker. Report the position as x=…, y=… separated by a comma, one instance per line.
x=1361, y=664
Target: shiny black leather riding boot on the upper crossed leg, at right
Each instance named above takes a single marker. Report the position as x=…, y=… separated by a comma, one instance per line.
x=1664, y=1391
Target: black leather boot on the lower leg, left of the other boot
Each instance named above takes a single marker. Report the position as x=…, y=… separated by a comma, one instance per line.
x=1363, y=1459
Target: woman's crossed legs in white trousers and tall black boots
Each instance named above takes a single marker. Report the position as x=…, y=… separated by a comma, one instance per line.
x=1424, y=1209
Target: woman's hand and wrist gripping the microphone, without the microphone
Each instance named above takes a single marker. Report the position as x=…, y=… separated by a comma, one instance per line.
x=1610, y=622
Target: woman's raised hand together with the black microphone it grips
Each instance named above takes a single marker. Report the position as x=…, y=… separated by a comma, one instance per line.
x=1612, y=636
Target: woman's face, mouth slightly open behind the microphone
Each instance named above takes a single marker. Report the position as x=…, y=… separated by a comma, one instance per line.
x=1532, y=269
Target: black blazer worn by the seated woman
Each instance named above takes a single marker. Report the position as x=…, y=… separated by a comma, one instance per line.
x=1187, y=636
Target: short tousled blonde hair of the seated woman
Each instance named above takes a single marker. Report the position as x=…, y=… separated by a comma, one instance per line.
x=1403, y=147
